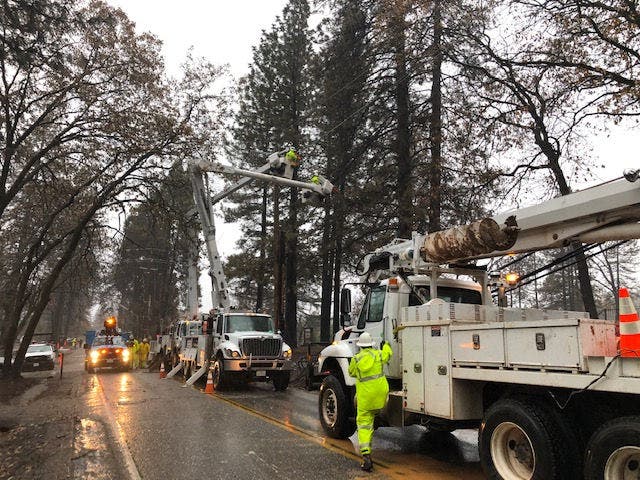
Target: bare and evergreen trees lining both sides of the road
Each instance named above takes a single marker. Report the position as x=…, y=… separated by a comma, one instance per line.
x=424, y=114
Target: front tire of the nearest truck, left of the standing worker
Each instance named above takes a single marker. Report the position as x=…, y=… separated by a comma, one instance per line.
x=335, y=409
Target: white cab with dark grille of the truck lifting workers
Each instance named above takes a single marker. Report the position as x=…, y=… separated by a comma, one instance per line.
x=246, y=347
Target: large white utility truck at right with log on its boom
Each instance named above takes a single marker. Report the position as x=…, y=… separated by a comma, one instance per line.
x=549, y=391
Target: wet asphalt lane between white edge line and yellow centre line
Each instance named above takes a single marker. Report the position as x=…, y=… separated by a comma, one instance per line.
x=181, y=433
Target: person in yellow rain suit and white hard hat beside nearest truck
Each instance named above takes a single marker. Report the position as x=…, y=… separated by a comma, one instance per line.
x=371, y=390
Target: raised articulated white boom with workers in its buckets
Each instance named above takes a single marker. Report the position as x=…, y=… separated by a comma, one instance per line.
x=279, y=169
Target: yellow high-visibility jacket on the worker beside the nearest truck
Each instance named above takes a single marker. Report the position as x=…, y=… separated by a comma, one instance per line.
x=371, y=385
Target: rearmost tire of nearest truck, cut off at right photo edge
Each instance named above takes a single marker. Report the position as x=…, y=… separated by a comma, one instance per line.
x=613, y=451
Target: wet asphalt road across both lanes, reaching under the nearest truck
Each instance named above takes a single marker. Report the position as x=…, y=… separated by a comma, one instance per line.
x=257, y=433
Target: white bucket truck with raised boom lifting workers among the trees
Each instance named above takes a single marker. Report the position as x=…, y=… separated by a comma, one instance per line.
x=233, y=344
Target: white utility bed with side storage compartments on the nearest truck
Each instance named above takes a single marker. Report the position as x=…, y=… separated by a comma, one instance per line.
x=450, y=350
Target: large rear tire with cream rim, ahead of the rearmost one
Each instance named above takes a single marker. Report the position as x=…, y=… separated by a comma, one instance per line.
x=522, y=440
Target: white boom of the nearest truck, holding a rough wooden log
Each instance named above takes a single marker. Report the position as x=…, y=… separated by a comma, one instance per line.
x=610, y=211
